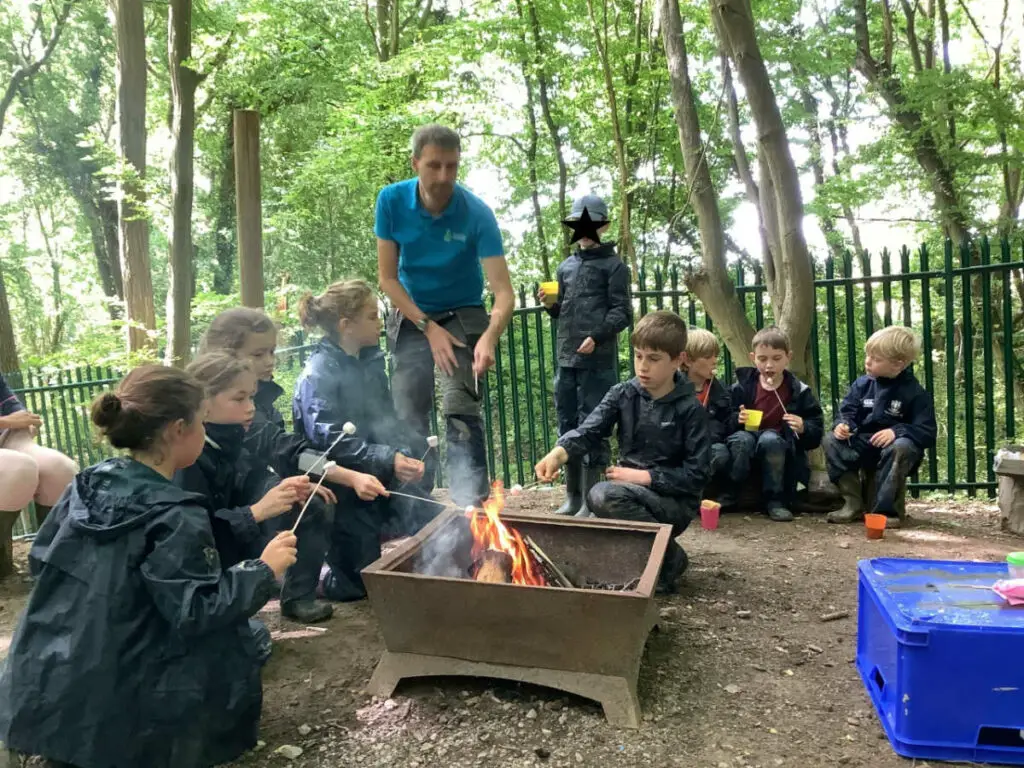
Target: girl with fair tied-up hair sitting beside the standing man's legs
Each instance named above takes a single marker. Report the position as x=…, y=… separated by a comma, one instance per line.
x=346, y=380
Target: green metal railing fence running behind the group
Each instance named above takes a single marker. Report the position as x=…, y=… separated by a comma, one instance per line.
x=967, y=306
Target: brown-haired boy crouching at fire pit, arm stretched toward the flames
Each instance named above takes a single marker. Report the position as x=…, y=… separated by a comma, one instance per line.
x=664, y=443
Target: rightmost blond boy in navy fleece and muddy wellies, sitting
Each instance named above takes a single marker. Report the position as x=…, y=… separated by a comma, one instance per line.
x=886, y=423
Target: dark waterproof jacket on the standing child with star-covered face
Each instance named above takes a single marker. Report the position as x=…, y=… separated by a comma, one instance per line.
x=594, y=302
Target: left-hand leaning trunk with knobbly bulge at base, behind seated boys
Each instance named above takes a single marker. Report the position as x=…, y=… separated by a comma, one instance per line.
x=712, y=283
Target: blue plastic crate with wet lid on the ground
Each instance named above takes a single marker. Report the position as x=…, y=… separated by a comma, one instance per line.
x=943, y=663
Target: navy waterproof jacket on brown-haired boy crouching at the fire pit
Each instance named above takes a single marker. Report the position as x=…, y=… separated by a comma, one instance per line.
x=667, y=437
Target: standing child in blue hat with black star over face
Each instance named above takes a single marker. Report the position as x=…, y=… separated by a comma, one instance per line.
x=593, y=308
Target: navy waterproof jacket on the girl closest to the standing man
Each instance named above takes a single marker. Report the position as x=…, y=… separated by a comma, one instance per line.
x=334, y=389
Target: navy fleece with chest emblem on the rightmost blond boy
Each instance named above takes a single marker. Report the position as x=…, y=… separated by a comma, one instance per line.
x=900, y=404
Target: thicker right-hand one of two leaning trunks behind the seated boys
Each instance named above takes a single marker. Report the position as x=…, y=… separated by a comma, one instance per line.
x=793, y=298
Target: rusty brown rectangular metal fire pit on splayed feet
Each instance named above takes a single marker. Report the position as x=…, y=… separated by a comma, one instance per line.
x=585, y=642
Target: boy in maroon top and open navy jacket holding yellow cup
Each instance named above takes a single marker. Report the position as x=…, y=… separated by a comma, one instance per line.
x=791, y=423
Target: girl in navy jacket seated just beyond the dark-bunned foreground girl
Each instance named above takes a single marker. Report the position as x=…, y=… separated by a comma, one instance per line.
x=247, y=501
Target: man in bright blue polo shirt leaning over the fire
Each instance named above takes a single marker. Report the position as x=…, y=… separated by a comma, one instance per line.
x=436, y=242
